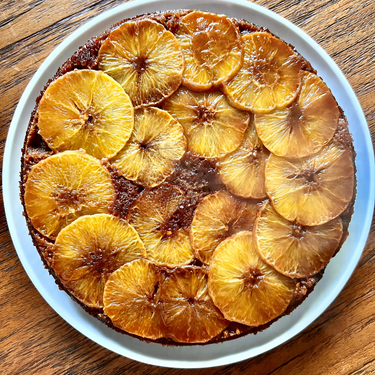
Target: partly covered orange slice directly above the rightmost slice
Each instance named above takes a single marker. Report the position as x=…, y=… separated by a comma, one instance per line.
x=304, y=127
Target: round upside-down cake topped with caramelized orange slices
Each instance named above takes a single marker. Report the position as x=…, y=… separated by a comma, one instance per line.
x=187, y=177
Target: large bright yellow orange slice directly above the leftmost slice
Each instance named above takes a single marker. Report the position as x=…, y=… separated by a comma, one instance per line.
x=86, y=109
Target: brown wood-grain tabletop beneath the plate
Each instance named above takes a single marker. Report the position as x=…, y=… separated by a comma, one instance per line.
x=34, y=339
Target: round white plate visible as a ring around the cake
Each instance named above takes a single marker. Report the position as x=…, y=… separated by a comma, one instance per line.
x=337, y=272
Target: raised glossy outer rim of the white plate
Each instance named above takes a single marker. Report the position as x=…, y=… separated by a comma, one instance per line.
x=7, y=174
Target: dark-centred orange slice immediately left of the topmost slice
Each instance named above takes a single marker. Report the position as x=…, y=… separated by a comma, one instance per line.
x=145, y=59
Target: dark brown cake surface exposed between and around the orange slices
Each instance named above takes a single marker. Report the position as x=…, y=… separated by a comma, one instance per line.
x=196, y=177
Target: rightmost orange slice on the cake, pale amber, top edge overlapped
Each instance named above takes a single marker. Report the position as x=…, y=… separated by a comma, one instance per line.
x=312, y=190
